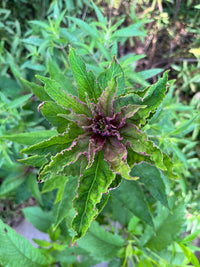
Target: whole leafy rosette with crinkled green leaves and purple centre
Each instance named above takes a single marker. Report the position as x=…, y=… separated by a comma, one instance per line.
x=100, y=138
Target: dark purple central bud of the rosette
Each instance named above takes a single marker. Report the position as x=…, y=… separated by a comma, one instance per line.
x=102, y=126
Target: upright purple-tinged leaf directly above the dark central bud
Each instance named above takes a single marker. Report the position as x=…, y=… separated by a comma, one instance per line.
x=105, y=101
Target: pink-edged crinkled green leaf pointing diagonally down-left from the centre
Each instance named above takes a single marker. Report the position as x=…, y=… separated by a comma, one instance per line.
x=66, y=157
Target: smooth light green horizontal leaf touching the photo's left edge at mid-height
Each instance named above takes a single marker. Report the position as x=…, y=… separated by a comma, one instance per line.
x=29, y=138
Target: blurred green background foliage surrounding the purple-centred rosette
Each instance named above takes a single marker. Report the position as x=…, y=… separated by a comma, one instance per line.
x=147, y=37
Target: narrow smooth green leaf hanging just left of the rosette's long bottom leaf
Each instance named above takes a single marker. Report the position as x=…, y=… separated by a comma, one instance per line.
x=65, y=205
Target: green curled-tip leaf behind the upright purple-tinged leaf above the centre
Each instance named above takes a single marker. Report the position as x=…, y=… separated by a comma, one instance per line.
x=112, y=71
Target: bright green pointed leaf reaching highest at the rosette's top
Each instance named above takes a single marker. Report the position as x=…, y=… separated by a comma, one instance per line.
x=85, y=80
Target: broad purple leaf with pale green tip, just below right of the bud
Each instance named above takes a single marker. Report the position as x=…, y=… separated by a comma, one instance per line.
x=115, y=154
